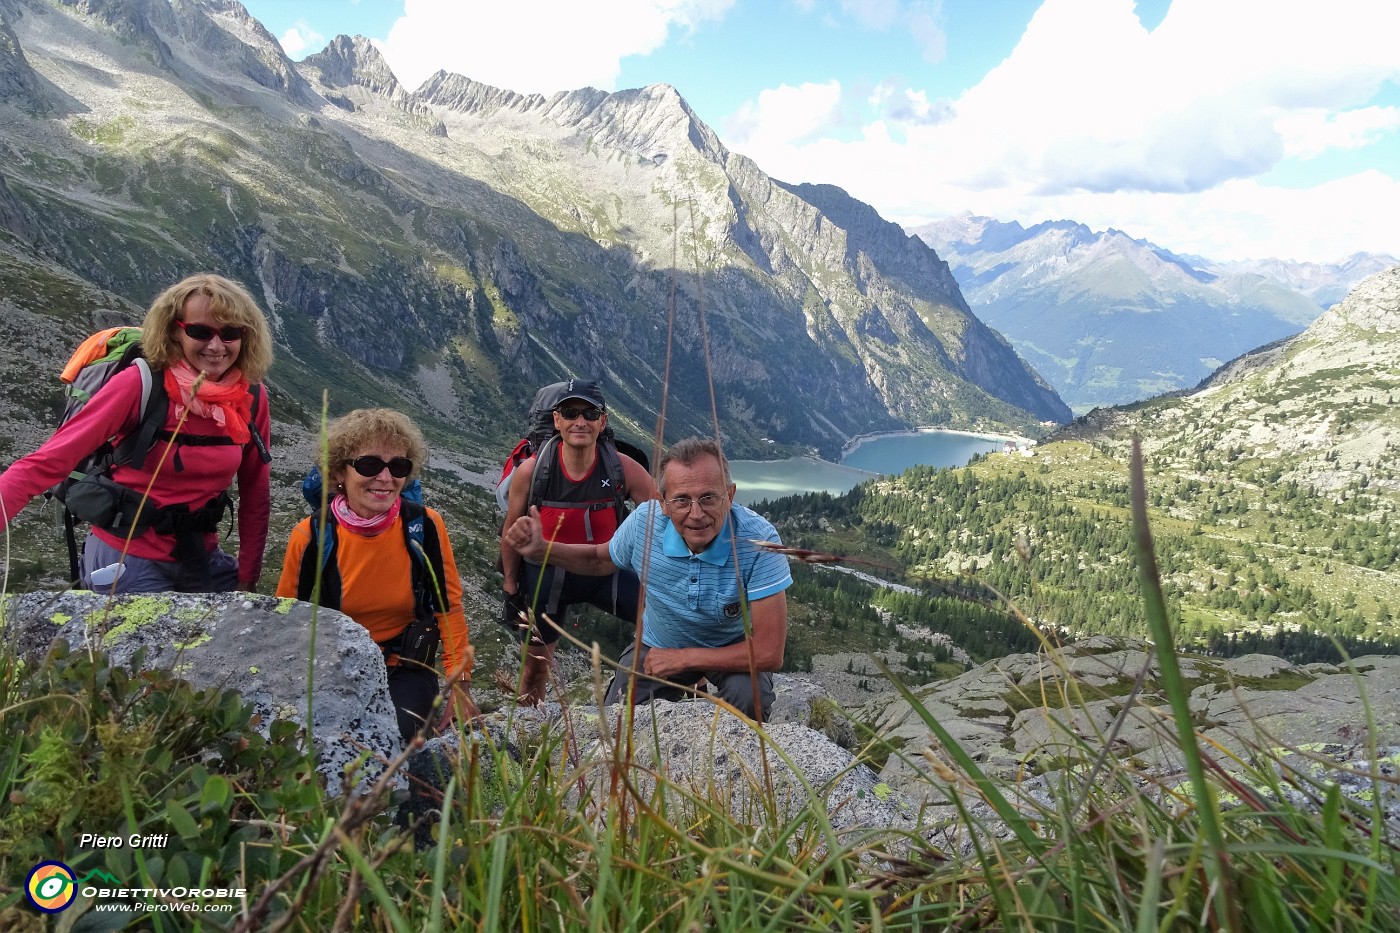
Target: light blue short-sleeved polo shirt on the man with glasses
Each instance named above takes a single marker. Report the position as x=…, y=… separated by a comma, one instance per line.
x=694, y=599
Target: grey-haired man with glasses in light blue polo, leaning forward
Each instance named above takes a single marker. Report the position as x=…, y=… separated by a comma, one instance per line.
x=702, y=571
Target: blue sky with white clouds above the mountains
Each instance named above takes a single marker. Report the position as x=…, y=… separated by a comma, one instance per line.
x=1224, y=128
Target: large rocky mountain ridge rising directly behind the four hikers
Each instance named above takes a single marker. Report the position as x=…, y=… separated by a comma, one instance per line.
x=450, y=250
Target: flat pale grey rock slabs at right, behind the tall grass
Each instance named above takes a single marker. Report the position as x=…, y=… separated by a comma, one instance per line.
x=1030, y=714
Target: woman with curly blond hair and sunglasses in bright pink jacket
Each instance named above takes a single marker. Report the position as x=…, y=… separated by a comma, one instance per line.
x=206, y=350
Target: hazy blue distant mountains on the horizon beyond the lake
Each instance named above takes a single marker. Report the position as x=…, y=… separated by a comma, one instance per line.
x=1108, y=320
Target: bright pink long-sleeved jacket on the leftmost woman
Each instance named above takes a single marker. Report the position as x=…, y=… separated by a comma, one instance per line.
x=204, y=471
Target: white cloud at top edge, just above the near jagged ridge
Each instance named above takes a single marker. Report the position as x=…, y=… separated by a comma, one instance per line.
x=535, y=46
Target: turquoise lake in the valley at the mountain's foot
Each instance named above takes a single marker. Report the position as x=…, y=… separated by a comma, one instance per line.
x=885, y=455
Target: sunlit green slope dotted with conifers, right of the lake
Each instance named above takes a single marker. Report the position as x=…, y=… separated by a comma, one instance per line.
x=1273, y=494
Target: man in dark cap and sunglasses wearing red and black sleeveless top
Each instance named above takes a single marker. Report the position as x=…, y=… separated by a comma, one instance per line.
x=577, y=505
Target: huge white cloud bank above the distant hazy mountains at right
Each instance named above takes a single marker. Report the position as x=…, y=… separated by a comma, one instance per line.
x=1160, y=134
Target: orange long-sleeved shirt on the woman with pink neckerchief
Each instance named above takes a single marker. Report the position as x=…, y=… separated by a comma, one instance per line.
x=376, y=586
